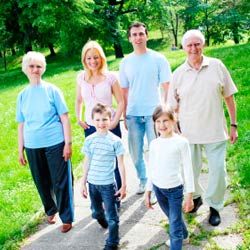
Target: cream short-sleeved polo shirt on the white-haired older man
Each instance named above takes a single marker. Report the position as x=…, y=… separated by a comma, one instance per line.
x=201, y=93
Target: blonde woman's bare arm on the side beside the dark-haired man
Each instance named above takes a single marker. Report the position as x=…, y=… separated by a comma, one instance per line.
x=116, y=90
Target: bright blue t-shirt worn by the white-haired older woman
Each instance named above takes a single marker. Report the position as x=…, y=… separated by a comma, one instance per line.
x=39, y=108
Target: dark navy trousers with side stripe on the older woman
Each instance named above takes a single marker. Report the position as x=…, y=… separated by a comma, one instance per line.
x=53, y=179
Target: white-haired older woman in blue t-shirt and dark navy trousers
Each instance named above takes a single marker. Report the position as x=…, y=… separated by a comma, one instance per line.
x=44, y=133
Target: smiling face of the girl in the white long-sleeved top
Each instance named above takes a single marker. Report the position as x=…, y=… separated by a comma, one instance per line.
x=164, y=126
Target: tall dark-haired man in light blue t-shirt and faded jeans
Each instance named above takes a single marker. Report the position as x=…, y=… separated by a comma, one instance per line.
x=141, y=74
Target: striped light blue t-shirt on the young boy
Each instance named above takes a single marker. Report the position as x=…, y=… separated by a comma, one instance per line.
x=101, y=151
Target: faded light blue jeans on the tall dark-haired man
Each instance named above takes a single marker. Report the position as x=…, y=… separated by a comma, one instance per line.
x=138, y=126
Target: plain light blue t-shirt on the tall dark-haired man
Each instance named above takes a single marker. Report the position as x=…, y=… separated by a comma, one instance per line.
x=143, y=74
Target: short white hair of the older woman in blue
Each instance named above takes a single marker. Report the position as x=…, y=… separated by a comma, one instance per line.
x=33, y=56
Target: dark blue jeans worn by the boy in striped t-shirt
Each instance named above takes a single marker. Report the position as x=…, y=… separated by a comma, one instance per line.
x=105, y=194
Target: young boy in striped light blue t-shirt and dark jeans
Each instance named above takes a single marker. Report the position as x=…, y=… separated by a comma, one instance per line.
x=101, y=150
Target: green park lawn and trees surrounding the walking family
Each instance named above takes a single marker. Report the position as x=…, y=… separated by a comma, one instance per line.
x=59, y=29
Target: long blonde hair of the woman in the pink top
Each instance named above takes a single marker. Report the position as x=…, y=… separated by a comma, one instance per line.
x=94, y=45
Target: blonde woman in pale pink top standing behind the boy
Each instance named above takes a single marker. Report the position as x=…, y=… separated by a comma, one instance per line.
x=95, y=84
